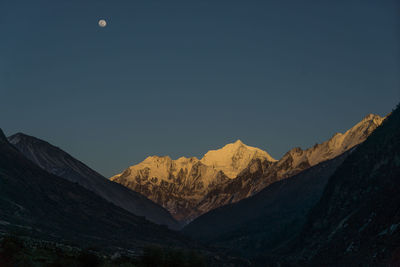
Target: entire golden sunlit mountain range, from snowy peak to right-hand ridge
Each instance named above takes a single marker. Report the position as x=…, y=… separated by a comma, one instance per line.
x=191, y=187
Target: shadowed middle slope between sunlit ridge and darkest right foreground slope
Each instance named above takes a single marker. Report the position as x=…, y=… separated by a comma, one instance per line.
x=269, y=218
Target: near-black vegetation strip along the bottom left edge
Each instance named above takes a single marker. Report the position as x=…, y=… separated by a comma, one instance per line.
x=15, y=251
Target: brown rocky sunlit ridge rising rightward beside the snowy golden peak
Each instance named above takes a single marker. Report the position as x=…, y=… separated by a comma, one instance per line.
x=260, y=174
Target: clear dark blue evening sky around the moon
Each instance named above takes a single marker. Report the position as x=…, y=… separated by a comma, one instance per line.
x=182, y=77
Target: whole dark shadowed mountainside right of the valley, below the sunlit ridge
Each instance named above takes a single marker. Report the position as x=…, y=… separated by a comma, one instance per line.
x=306, y=220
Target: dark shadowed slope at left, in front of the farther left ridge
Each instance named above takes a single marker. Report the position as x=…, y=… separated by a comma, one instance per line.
x=45, y=206
